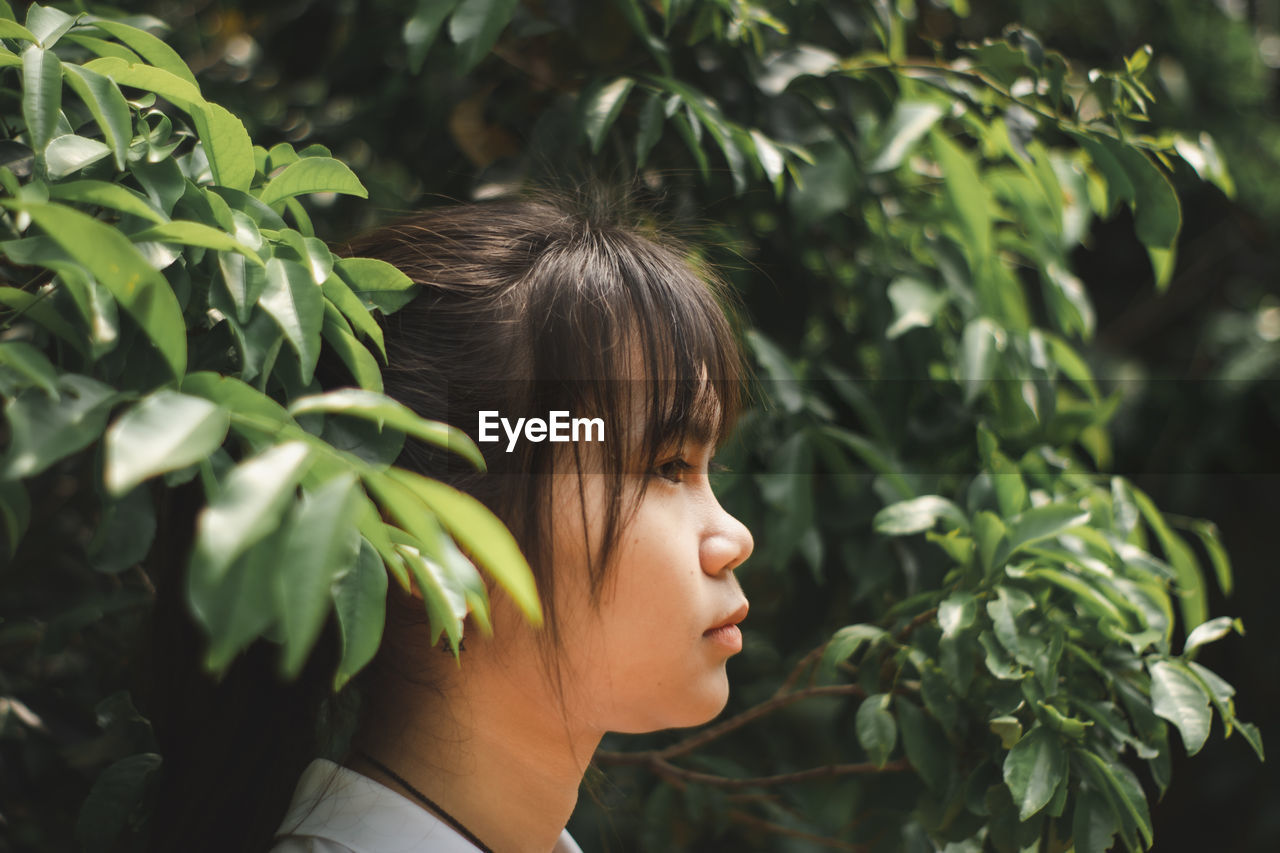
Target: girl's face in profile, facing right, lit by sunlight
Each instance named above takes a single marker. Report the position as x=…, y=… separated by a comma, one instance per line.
x=651, y=653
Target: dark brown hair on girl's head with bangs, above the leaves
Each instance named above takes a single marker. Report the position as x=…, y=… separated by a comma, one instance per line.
x=537, y=307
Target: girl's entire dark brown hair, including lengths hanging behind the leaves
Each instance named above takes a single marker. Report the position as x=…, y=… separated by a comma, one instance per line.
x=525, y=308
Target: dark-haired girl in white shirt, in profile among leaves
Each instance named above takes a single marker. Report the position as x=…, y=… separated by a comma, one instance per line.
x=528, y=308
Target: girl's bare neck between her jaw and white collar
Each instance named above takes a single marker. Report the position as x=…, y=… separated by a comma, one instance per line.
x=491, y=751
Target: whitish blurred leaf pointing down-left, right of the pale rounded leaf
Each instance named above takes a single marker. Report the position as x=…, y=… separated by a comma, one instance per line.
x=248, y=508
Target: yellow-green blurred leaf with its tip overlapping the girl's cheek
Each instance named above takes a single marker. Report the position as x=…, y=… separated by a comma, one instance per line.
x=483, y=536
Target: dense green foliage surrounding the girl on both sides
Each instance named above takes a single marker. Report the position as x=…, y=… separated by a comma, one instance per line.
x=966, y=631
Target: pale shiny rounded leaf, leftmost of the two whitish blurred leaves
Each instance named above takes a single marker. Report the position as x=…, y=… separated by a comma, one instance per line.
x=163, y=432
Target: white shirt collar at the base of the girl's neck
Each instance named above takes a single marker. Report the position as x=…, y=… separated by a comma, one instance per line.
x=336, y=810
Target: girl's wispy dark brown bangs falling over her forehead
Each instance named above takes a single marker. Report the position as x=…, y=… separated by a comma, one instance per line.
x=642, y=341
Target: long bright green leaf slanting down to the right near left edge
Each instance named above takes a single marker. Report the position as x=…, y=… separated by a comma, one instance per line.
x=113, y=261
